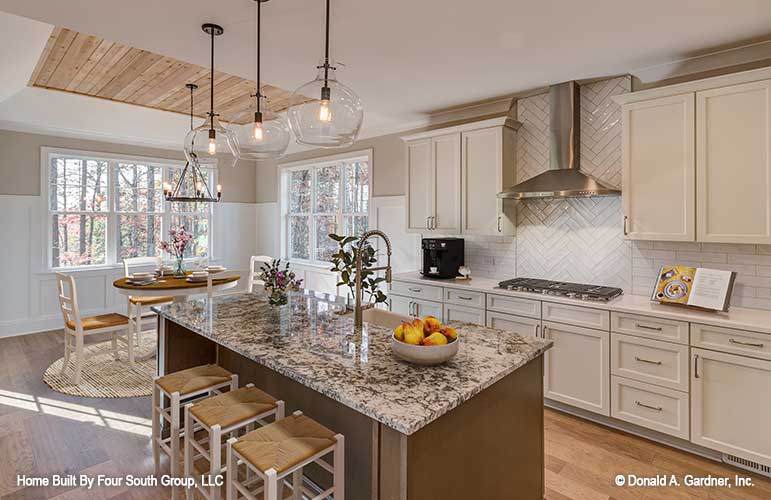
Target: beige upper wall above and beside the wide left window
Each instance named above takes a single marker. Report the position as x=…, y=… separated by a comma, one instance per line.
x=20, y=164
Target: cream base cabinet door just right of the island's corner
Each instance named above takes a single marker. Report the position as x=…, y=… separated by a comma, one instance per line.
x=577, y=367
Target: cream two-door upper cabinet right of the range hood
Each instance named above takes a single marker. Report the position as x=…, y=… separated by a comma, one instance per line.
x=696, y=160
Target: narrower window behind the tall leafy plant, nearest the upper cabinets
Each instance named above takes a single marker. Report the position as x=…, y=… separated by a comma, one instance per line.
x=322, y=197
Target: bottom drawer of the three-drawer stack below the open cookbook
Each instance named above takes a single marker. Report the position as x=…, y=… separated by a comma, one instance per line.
x=657, y=408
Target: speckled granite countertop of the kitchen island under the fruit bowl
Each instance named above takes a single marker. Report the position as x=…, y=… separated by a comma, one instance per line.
x=308, y=342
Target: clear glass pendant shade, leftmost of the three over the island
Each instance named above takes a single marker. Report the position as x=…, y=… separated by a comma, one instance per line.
x=212, y=142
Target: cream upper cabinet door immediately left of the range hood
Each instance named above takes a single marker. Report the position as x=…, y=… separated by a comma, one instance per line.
x=481, y=181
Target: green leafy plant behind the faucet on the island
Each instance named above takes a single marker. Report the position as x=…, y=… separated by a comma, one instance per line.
x=344, y=262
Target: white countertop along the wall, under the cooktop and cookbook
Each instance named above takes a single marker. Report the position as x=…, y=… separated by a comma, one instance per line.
x=755, y=320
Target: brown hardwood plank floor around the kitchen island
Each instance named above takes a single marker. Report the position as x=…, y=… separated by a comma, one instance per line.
x=43, y=432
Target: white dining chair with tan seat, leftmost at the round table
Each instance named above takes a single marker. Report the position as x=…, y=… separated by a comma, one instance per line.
x=77, y=328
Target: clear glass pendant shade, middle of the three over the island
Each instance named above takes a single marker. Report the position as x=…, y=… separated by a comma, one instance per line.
x=262, y=140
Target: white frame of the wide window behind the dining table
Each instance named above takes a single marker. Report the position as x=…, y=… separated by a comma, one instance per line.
x=111, y=238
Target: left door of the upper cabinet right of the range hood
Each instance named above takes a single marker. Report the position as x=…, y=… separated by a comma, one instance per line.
x=659, y=177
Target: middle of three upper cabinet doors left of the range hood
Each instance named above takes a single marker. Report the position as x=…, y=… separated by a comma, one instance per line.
x=446, y=183
